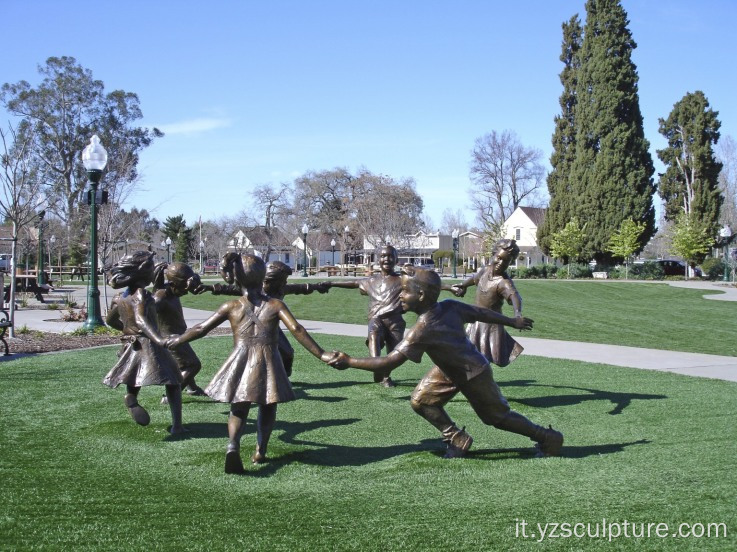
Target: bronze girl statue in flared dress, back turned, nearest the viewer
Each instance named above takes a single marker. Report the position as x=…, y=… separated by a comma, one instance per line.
x=254, y=371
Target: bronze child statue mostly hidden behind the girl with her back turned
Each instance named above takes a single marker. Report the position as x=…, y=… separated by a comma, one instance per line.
x=275, y=285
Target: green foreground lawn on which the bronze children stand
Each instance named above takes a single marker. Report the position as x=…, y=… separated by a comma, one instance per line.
x=353, y=468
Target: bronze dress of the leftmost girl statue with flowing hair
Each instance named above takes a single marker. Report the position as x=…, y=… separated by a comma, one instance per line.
x=141, y=362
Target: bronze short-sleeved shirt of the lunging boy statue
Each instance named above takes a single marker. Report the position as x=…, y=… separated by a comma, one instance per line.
x=439, y=333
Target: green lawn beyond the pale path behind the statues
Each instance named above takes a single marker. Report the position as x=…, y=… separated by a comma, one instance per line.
x=651, y=315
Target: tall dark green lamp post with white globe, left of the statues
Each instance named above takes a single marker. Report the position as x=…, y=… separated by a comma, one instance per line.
x=94, y=158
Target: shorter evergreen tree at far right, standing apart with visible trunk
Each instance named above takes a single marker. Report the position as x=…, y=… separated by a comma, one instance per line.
x=690, y=183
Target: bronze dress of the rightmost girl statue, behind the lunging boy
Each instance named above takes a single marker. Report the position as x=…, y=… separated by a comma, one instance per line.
x=492, y=340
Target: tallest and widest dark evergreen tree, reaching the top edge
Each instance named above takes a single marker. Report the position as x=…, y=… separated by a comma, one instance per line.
x=611, y=174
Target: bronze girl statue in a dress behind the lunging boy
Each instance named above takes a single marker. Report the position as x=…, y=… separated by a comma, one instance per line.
x=494, y=288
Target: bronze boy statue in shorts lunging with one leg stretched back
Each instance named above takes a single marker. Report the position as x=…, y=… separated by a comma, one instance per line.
x=459, y=367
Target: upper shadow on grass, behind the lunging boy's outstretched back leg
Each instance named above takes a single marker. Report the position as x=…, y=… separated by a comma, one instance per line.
x=619, y=400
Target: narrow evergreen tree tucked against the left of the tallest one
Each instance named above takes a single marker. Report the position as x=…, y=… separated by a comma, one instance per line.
x=564, y=138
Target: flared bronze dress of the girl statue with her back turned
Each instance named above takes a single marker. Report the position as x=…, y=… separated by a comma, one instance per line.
x=254, y=371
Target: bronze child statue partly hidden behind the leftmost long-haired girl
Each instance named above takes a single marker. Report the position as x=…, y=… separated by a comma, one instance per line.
x=172, y=281
